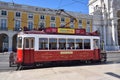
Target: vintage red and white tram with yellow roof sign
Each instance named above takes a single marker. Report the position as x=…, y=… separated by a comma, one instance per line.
x=57, y=44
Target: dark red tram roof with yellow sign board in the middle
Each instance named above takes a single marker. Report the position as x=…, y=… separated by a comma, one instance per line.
x=64, y=31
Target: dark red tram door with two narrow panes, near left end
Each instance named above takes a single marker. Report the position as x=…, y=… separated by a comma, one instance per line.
x=28, y=52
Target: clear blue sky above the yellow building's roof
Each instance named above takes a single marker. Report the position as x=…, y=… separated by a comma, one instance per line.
x=68, y=5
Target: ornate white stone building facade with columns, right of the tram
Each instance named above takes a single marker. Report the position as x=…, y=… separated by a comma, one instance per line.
x=106, y=19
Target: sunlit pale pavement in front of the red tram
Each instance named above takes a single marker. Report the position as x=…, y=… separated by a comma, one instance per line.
x=109, y=71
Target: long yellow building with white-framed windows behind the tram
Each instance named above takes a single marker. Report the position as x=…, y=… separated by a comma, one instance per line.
x=16, y=16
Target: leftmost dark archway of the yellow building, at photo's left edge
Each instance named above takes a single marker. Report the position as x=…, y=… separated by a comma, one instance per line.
x=4, y=42
